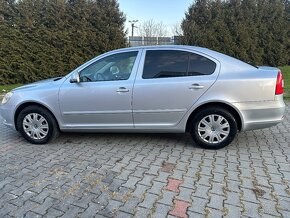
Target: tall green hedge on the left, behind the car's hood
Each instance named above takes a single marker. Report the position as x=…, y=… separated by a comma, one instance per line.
x=49, y=38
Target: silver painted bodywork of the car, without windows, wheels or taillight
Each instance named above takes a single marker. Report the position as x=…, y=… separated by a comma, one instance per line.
x=152, y=105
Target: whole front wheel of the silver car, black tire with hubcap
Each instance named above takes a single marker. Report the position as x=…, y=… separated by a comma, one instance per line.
x=37, y=125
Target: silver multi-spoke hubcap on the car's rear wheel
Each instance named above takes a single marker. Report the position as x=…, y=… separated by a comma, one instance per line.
x=213, y=129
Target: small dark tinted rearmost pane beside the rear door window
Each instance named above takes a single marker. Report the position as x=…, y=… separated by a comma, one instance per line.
x=199, y=65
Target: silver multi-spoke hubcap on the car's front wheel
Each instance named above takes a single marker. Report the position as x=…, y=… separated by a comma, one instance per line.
x=35, y=126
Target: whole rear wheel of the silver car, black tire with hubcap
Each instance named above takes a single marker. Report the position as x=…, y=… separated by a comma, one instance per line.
x=213, y=128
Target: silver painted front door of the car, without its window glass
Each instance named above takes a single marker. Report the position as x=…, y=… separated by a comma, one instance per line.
x=98, y=104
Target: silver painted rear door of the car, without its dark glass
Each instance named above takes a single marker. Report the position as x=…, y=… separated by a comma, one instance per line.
x=161, y=103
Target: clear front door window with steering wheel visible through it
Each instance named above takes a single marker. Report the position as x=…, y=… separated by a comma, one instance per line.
x=113, y=67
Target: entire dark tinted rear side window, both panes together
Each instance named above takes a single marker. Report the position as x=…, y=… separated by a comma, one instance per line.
x=171, y=63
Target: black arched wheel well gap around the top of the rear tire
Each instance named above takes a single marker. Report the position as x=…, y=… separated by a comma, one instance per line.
x=230, y=108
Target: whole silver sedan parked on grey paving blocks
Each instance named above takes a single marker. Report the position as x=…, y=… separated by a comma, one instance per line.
x=170, y=89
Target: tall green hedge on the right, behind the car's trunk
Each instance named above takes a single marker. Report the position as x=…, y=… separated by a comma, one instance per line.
x=255, y=31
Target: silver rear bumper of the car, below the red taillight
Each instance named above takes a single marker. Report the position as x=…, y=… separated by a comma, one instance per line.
x=262, y=114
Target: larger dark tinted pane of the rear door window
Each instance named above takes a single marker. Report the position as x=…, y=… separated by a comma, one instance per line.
x=162, y=64
